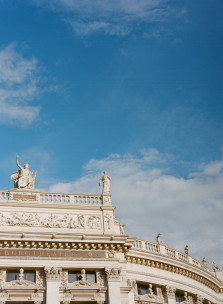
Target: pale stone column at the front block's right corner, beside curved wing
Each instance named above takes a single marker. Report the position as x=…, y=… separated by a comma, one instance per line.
x=113, y=279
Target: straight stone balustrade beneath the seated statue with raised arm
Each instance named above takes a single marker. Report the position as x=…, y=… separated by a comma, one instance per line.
x=51, y=198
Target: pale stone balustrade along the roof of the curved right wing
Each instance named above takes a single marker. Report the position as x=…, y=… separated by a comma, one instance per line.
x=160, y=248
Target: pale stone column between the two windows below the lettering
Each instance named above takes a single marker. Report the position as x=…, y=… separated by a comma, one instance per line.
x=52, y=284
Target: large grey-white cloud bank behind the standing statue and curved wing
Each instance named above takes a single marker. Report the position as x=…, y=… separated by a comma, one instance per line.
x=149, y=200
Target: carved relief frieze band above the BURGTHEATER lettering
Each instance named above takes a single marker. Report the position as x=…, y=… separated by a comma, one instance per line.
x=50, y=220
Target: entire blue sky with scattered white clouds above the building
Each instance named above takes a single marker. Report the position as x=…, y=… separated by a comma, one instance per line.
x=134, y=87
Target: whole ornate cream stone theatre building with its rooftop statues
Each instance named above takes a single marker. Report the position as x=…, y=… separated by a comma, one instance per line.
x=69, y=248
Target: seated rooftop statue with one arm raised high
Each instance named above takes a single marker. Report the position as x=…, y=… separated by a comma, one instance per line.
x=23, y=178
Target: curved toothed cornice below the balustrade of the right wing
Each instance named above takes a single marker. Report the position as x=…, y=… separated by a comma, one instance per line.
x=176, y=269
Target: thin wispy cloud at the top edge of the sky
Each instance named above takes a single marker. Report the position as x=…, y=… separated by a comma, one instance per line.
x=118, y=17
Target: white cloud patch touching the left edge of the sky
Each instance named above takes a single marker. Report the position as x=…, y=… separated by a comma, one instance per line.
x=18, y=87
